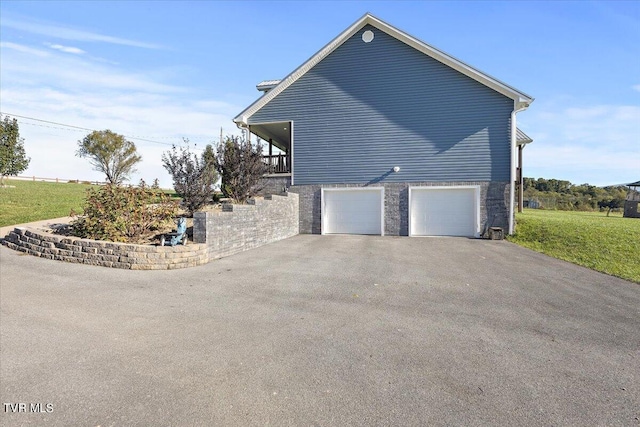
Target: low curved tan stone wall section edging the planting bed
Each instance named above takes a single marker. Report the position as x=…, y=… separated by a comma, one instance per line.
x=106, y=254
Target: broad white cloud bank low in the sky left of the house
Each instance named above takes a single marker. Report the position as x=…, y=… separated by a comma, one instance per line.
x=74, y=90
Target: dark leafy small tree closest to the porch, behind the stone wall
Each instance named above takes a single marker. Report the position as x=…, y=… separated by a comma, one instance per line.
x=240, y=165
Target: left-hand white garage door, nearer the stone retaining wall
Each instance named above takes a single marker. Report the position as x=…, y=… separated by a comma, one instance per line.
x=352, y=211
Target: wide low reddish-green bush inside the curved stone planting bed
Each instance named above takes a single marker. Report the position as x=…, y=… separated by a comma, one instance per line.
x=124, y=214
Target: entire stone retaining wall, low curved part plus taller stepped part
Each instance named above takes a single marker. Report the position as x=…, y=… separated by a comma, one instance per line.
x=217, y=234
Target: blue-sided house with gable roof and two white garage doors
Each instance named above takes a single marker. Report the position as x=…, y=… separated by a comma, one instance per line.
x=381, y=133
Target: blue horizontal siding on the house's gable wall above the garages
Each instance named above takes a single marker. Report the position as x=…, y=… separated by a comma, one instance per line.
x=368, y=107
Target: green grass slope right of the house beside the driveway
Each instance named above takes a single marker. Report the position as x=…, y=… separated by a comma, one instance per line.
x=591, y=239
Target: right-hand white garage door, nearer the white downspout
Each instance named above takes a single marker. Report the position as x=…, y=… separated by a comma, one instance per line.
x=443, y=211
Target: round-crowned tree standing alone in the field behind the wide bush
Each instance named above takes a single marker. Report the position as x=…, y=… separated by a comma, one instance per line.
x=110, y=154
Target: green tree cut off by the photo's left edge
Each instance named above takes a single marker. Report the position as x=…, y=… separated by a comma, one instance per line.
x=13, y=159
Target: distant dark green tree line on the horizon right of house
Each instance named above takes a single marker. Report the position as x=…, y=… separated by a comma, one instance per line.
x=563, y=195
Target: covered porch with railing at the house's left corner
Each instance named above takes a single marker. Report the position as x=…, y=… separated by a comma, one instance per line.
x=278, y=136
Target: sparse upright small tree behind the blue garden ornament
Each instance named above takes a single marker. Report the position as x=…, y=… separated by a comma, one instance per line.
x=193, y=177
